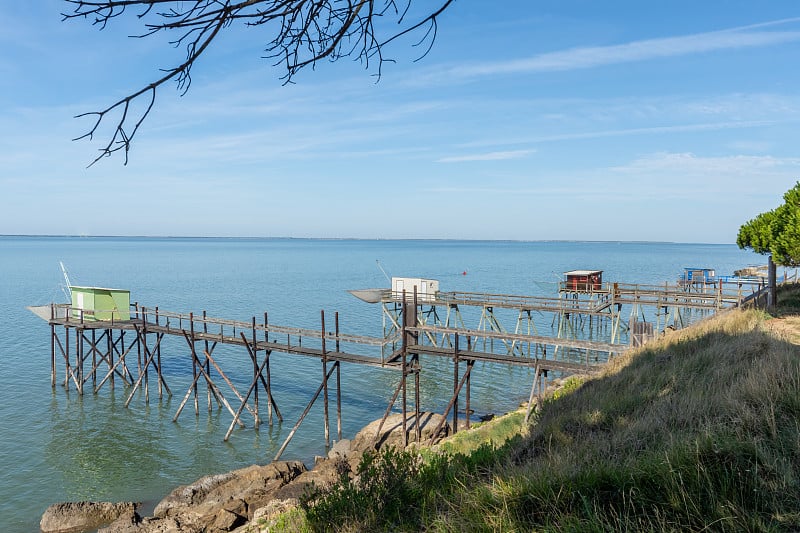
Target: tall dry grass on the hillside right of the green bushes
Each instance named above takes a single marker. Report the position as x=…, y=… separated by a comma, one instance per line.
x=700, y=429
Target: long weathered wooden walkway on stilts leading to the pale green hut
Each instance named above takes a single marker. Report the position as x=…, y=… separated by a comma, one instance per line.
x=130, y=351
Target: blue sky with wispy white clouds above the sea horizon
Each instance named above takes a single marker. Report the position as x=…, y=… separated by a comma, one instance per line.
x=548, y=120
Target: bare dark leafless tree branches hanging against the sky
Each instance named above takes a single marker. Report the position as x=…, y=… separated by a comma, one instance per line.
x=305, y=32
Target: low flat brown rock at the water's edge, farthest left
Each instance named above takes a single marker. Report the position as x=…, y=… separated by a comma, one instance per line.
x=84, y=516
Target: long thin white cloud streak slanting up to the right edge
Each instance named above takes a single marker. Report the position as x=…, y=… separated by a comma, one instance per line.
x=597, y=56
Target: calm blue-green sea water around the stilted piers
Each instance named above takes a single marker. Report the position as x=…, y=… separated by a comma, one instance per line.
x=58, y=446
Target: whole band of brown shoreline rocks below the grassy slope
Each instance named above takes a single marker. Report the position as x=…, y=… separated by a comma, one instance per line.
x=235, y=501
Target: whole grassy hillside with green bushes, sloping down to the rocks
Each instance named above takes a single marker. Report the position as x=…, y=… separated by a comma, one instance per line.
x=698, y=431
